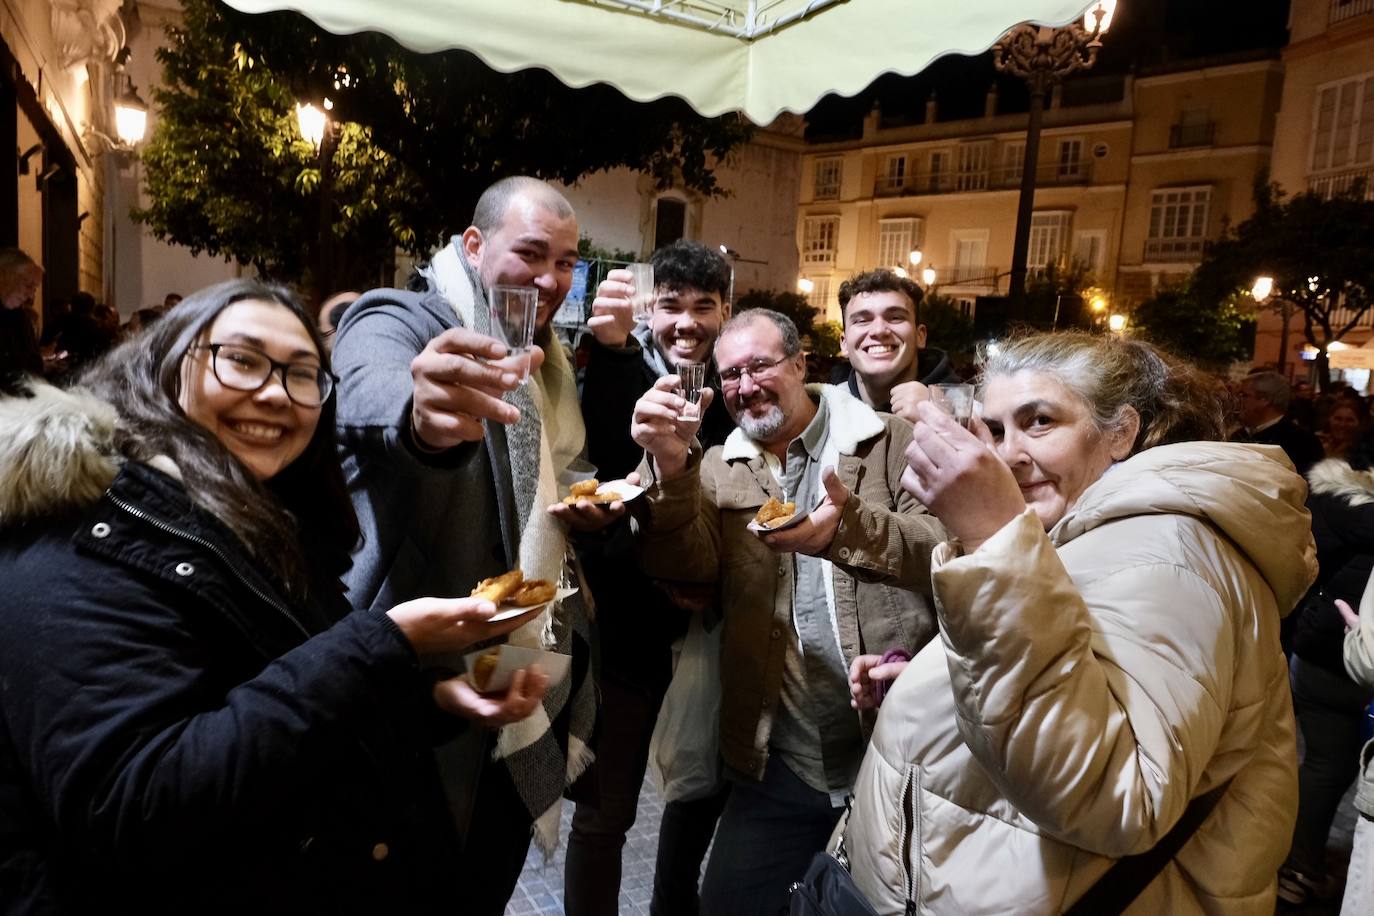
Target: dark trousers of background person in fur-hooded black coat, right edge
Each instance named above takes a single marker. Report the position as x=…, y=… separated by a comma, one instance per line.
x=1331, y=712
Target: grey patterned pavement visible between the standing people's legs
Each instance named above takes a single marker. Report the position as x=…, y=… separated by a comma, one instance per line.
x=541, y=888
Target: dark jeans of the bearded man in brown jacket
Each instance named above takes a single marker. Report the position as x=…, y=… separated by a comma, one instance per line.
x=767, y=837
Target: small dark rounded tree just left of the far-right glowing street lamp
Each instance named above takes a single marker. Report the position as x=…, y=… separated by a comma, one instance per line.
x=1207, y=332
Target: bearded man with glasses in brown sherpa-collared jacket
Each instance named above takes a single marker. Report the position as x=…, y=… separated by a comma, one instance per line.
x=851, y=577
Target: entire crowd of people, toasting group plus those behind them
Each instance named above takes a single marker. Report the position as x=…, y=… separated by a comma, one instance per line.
x=1026, y=661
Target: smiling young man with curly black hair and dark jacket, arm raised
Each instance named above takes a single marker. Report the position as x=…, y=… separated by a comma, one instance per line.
x=638, y=623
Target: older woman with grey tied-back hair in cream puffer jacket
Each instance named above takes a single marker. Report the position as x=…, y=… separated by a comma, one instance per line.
x=1110, y=648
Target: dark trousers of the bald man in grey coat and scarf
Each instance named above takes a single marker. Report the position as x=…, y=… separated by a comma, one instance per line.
x=498, y=841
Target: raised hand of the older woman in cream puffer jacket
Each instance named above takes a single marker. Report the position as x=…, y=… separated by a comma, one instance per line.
x=958, y=476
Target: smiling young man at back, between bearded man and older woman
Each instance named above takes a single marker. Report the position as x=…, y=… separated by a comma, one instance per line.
x=886, y=343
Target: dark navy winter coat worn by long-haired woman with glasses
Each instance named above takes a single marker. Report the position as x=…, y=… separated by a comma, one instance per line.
x=175, y=738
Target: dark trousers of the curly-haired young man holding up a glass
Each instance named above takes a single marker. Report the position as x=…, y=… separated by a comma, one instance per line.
x=592, y=881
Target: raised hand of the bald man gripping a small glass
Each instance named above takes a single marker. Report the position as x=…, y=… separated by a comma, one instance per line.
x=458, y=387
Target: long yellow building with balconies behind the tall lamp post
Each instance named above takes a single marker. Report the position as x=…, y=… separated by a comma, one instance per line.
x=1136, y=175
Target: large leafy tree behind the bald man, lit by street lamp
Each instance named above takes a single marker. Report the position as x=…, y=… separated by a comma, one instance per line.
x=414, y=141
